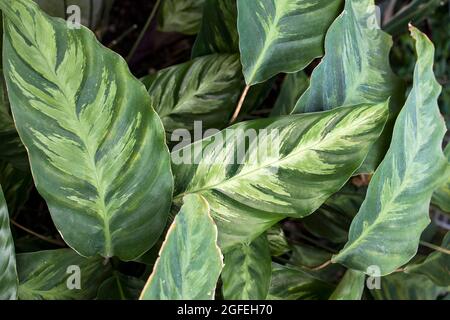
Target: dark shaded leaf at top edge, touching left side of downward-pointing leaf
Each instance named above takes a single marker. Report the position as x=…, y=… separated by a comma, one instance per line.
x=218, y=31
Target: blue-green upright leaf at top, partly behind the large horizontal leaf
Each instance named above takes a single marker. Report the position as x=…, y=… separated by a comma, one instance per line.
x=355, y=69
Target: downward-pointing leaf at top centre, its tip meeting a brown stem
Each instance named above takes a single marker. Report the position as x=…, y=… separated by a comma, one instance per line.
x=278, y=36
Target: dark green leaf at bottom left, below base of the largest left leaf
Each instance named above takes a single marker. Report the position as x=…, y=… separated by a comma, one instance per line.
x=54, y=274
